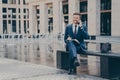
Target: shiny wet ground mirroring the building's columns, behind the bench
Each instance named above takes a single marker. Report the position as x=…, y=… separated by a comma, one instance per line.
x=39, y=52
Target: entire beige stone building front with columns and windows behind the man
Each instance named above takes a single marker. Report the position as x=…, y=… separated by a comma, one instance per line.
x=49, y=16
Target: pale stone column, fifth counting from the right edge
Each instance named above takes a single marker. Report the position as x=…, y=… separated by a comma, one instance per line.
x=43, y=18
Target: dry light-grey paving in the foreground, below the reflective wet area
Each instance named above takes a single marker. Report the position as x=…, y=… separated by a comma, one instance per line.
x=17, y=70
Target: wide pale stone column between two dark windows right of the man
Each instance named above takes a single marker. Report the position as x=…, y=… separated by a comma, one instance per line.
x=94, y=17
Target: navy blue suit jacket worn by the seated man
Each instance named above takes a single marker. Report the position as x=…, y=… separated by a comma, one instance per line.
x=80, y=36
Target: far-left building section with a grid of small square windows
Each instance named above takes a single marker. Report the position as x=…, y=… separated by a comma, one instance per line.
x=14, y=17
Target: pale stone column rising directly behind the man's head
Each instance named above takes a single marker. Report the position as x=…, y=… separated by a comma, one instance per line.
x=73, y=7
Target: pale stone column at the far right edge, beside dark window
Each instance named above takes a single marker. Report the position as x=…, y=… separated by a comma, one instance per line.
x=115, y=28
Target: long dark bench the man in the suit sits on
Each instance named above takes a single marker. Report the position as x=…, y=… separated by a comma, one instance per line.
x=109, y=62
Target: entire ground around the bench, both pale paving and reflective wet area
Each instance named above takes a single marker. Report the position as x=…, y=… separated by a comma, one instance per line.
x=36, y=60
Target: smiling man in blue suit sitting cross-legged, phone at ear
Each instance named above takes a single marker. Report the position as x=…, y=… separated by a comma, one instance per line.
x=74, y=39
